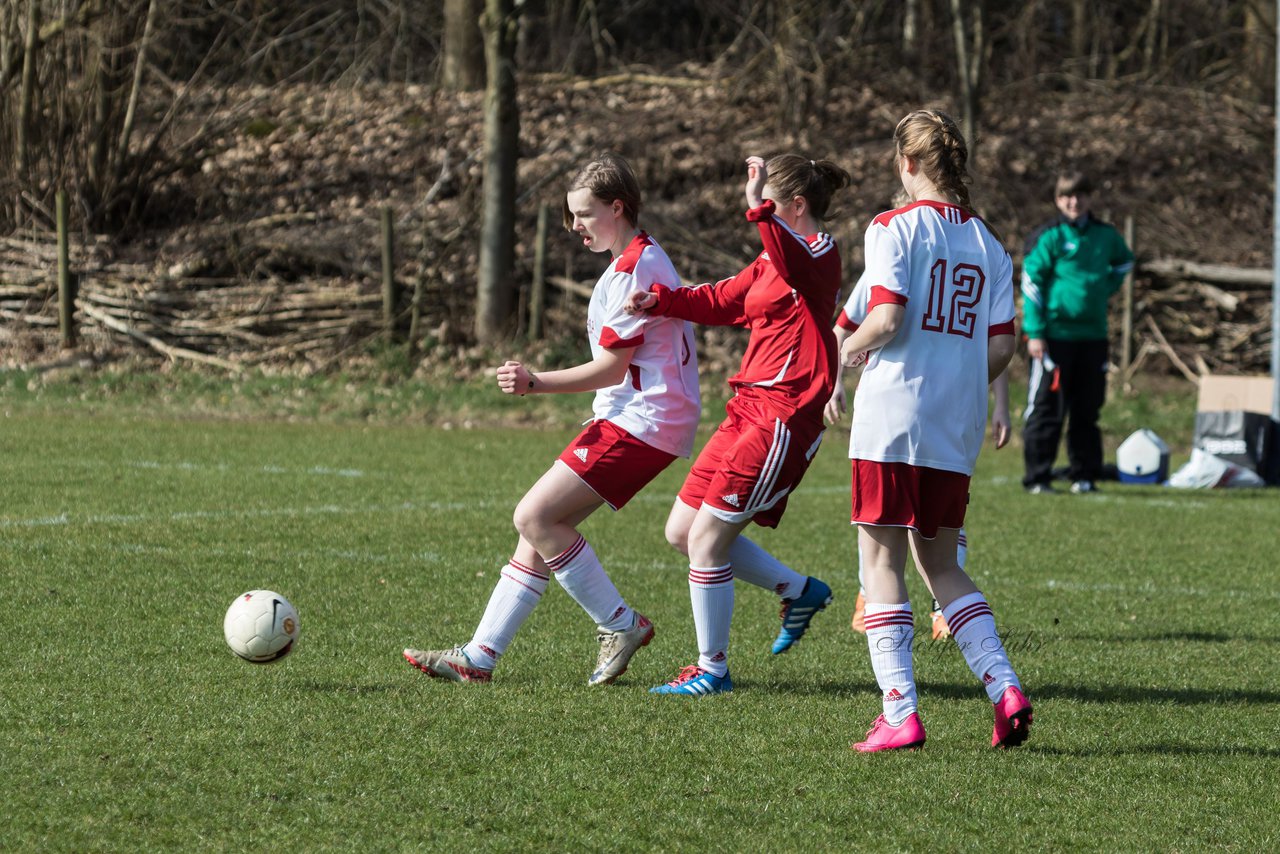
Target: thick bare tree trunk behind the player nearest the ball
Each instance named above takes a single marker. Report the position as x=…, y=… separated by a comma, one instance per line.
x=496, y=289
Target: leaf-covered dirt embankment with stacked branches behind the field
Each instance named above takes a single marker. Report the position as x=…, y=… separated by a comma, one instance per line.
x=268, y=252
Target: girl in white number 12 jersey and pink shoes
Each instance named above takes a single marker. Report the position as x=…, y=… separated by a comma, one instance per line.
x=939, y=328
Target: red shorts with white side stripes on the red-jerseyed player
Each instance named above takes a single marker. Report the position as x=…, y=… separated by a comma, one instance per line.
x=751, y=465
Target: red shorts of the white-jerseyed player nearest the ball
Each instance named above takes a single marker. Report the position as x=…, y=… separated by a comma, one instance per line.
x=614, y=463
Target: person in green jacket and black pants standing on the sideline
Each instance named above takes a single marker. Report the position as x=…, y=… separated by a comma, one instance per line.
x=1073, y=267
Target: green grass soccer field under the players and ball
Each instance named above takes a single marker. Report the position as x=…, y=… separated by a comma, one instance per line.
x=1145, y=624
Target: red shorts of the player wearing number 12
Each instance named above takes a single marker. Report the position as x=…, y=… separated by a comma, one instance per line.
x=903, y=496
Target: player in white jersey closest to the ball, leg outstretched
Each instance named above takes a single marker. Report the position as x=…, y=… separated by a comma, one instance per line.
x=644, y=375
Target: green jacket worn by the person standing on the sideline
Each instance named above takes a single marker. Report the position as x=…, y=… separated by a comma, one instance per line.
x=1068, y=276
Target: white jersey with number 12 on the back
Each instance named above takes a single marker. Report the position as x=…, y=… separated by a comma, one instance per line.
x=922, y=399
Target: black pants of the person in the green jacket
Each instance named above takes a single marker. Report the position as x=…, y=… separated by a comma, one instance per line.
x=1069, y=386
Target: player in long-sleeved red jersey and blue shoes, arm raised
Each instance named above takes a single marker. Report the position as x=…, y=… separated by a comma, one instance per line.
x=760, y=454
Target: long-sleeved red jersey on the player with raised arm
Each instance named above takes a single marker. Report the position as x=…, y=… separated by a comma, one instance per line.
x=787, y=298
